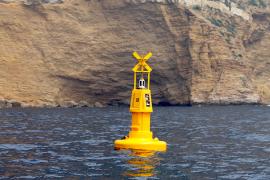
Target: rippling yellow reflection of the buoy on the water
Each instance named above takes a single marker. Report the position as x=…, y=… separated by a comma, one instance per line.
x=142, y=163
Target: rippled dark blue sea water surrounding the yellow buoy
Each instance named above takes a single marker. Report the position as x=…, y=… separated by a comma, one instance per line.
x=211, y=142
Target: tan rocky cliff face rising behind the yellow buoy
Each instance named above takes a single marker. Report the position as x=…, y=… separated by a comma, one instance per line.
x=78, y=52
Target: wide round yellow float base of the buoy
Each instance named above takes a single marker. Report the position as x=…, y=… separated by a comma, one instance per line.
x=140, y=144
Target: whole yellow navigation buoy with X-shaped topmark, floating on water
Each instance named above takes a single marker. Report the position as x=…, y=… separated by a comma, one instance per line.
x=140, y=136
